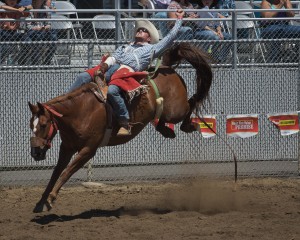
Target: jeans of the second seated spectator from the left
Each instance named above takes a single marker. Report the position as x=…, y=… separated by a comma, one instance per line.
x=50, y=35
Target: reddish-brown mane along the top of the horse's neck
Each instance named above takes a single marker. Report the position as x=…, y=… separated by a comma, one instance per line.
x=86, y=88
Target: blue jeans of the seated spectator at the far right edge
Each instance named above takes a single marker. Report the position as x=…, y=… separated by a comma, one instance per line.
x=277, y=32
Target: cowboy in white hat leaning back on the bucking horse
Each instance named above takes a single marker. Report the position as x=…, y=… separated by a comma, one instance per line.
x=137, y=56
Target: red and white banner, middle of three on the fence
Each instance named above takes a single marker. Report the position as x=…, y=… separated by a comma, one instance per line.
x=242, y=125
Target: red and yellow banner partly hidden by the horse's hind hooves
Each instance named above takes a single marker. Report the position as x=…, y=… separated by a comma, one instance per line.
x=203, y=128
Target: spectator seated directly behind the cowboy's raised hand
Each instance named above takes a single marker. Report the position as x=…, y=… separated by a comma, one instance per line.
x=186, y=32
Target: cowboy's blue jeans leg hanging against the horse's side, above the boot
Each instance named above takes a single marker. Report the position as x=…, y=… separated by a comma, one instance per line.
x=115, y=98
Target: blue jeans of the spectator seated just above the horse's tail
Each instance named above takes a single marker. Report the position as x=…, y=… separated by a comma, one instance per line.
x=220, y=55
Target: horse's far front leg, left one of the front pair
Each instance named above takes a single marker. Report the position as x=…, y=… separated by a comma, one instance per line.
x=65, y=156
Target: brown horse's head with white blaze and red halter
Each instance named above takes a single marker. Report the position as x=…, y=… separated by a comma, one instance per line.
x=44, y=129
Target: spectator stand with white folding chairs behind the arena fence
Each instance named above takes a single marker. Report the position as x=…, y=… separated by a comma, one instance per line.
x=82, y=41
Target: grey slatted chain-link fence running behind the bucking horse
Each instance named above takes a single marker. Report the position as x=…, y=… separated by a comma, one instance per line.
x=245, y=82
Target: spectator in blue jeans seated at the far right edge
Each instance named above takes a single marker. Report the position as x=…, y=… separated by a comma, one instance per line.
x=277, y=29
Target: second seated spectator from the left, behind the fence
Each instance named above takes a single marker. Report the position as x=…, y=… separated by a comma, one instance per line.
x=41, y=31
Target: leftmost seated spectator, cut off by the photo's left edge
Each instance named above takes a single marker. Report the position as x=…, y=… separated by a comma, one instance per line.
x=11, y=31
